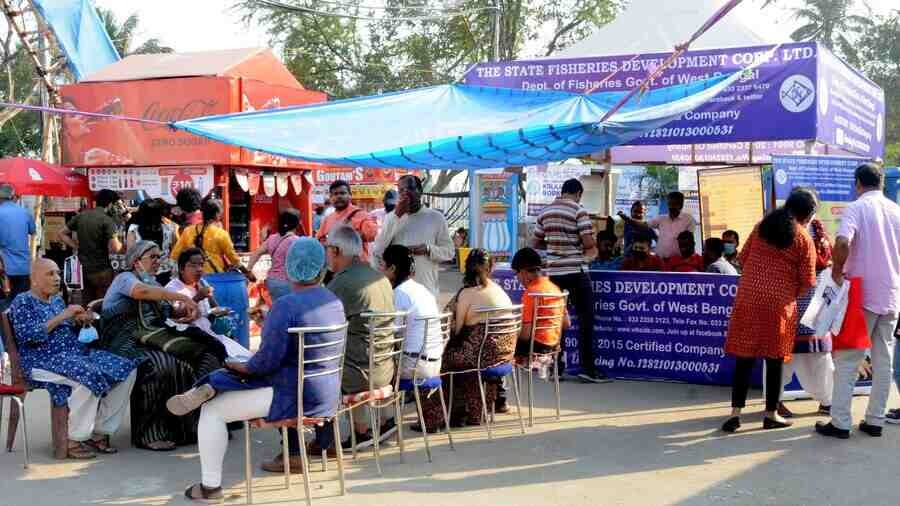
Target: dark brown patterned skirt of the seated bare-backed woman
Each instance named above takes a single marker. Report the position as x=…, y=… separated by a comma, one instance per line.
x=462, y=354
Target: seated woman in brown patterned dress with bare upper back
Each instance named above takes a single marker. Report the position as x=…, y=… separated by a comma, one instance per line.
x=462, y=351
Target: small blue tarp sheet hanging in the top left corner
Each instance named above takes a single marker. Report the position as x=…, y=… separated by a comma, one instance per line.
x=80, y=33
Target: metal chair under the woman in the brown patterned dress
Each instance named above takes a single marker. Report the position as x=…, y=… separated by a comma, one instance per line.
x=501, y=322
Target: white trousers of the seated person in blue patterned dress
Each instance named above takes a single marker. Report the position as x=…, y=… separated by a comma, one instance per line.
x=89, y=414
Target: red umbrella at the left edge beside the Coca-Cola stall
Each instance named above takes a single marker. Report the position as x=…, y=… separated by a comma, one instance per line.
x=34, y=177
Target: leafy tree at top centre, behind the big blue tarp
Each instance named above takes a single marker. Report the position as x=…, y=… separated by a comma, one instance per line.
x=383, y=49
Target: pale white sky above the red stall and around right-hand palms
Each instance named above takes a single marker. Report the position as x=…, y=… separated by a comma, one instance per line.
x=203, y=25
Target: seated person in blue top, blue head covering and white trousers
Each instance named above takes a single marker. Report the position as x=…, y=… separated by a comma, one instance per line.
x=266, y=385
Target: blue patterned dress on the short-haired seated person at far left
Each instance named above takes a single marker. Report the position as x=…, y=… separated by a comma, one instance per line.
x=60, y=352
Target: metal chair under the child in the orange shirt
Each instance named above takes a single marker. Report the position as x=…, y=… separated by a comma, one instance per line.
x=549, y=313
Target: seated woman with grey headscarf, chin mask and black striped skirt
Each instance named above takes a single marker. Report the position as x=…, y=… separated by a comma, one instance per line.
x=133, y=312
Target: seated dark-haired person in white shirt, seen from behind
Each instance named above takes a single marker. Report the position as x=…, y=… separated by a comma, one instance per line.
x=419, y=358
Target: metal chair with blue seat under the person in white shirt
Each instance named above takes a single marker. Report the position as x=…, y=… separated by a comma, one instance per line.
x=437, y=330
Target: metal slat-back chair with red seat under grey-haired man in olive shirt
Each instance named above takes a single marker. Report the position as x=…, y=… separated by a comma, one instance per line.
x=386, y=334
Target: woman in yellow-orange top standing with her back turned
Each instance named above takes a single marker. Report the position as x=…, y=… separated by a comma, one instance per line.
x=214, y=240
